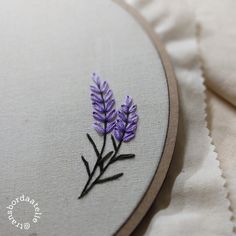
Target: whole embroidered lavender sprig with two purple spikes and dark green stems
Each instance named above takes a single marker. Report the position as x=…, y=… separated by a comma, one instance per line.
x=122, y=123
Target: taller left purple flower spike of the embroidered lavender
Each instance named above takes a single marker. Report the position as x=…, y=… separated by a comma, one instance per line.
x=103, y=106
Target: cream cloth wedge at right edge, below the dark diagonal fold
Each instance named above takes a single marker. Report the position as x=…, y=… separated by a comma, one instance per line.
x=221, y=121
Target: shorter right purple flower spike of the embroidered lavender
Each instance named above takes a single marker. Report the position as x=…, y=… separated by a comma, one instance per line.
x=126, y=123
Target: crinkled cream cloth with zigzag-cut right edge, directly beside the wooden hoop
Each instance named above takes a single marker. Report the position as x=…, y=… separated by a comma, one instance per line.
x=193, y=199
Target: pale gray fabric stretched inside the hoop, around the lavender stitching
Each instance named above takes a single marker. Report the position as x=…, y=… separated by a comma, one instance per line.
x=48, y=50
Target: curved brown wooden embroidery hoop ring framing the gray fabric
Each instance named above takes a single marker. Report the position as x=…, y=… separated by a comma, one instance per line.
x=158, y=179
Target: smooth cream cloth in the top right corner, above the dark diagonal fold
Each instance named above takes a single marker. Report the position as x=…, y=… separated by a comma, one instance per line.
x=217, y=35
